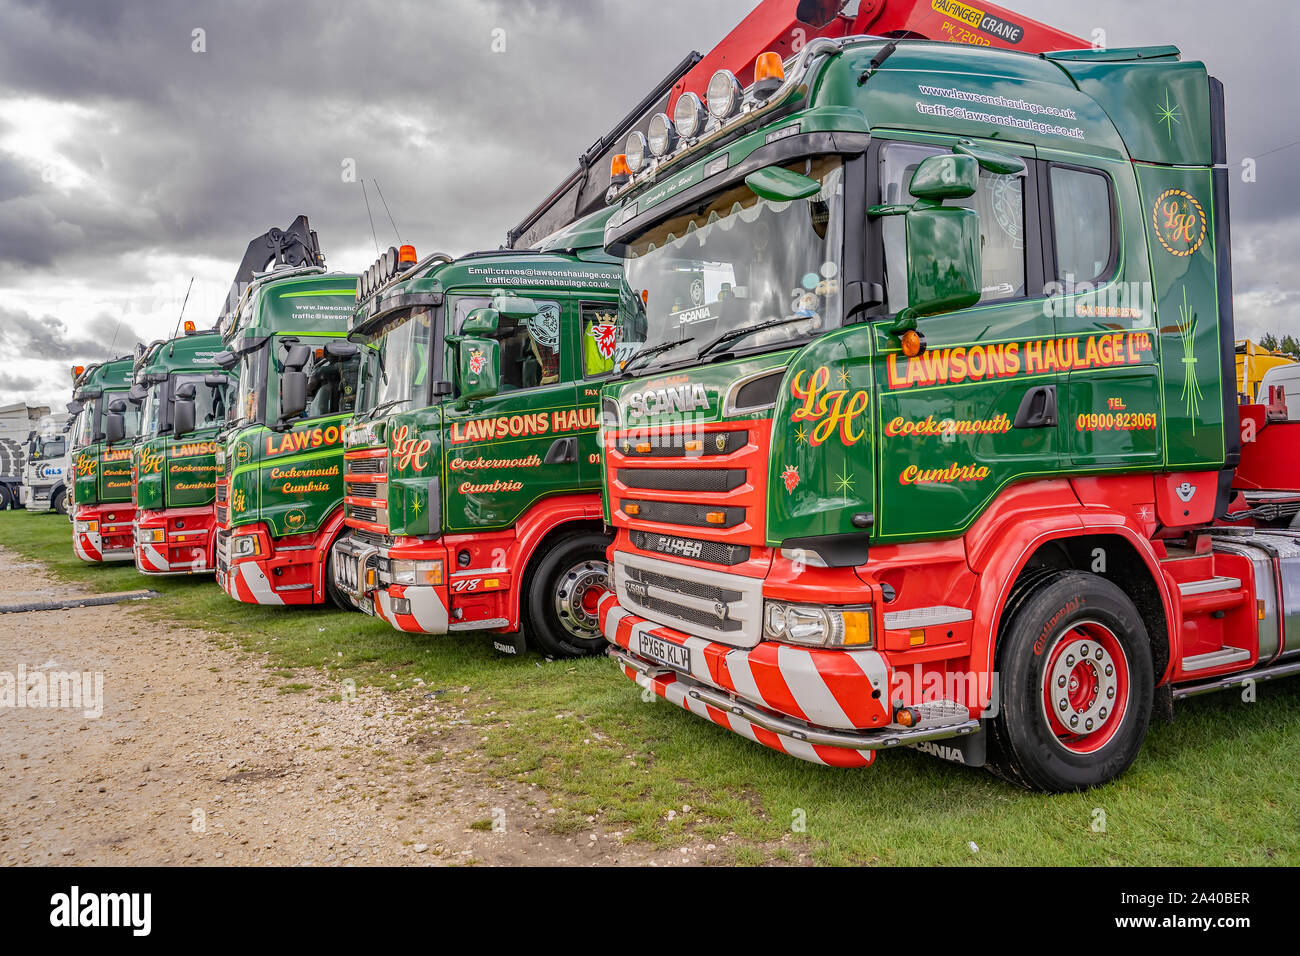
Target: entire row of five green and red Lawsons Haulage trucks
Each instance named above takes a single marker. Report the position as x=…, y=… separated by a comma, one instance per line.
x=878, y=392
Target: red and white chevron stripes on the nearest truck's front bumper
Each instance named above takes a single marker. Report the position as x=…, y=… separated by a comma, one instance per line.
x=837, y=690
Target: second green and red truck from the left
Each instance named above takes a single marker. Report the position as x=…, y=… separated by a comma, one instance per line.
x=183, y=399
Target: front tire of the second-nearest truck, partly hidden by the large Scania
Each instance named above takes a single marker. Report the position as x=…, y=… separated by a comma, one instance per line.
x=562, y=591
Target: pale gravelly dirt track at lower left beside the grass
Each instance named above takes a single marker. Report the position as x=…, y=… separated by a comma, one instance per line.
x=201, y=759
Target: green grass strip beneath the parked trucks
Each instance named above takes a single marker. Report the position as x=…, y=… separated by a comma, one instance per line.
x=1219, y=786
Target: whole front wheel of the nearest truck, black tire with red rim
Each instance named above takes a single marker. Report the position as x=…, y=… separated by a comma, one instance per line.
x=1076, y=682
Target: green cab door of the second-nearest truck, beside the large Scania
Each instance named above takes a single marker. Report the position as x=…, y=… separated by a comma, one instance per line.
x=510, y=451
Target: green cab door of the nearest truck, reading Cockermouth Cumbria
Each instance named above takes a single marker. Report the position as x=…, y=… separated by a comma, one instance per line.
x=976, y=412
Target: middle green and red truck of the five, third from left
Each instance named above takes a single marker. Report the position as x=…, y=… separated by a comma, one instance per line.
x=280, y=457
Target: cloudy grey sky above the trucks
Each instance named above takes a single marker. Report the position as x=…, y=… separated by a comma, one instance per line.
x=131, y=163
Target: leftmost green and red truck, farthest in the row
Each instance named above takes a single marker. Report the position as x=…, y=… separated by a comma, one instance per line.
x=102, y=512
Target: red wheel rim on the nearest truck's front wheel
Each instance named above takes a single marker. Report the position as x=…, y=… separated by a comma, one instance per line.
x=1086, y=687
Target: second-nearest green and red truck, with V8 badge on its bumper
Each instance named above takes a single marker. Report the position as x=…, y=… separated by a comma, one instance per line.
x=473, y=468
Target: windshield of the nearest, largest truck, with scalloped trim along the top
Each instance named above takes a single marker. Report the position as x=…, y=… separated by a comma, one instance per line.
x=738, y=261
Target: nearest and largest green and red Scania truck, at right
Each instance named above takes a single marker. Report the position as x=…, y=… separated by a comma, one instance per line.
x=930, y=434
